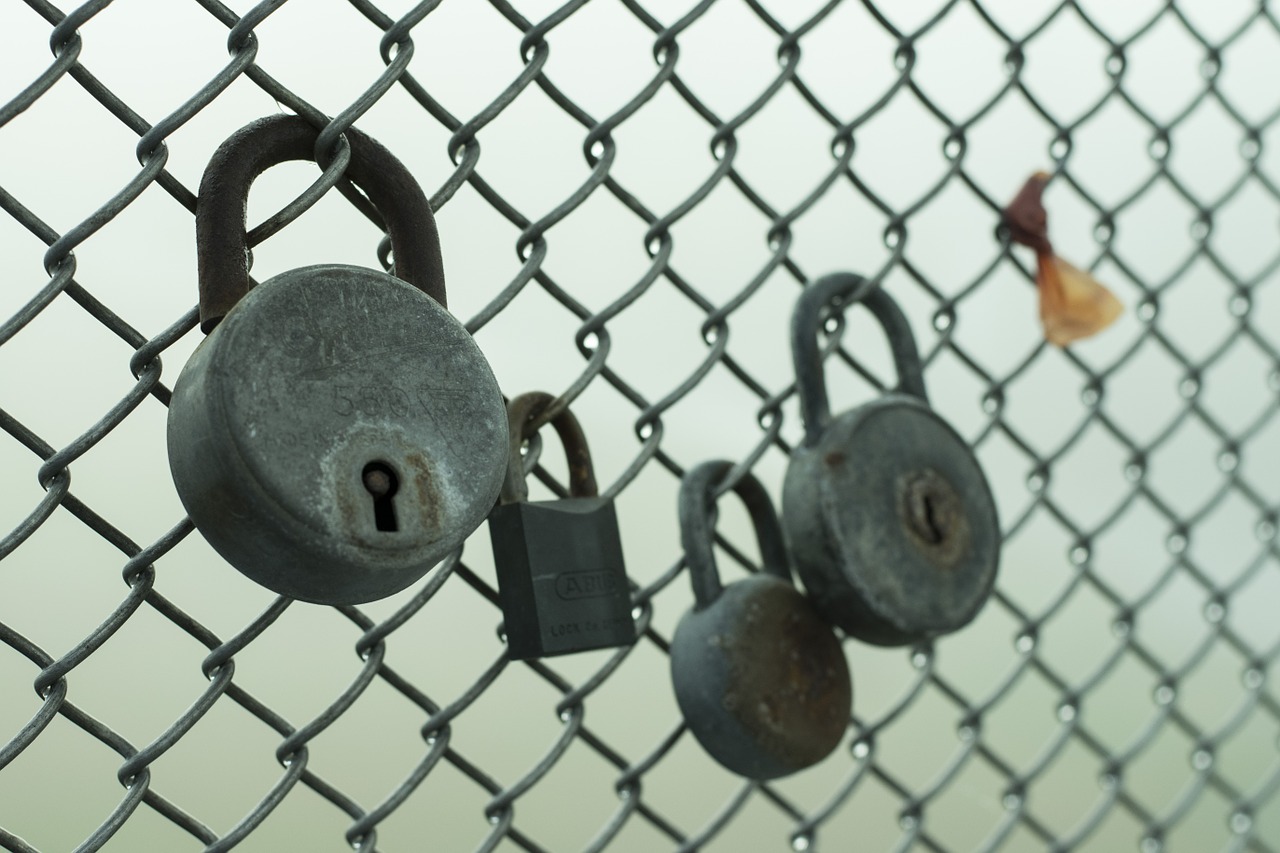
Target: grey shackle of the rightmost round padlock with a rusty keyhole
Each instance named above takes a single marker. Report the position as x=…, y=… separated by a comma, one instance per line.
x=811, y=381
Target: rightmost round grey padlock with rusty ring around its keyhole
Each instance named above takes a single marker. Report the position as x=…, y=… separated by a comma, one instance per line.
x=888, y=514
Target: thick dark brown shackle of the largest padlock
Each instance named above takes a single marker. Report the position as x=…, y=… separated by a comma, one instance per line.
x=221, y=238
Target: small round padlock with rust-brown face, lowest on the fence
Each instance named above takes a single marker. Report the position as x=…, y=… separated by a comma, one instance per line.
x=761, y=679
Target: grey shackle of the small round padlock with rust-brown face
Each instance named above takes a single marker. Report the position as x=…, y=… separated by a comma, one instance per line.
x=698, y=531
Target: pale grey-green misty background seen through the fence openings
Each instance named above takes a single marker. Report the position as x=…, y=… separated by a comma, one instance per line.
x=67, y=157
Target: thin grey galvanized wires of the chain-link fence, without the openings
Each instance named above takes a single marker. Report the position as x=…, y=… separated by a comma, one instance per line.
x=1245, y=799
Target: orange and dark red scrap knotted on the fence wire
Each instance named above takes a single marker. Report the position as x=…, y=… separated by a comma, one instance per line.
x=1073, y=304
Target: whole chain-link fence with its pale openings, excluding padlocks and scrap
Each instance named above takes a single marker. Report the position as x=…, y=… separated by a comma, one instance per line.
x=1114, y=695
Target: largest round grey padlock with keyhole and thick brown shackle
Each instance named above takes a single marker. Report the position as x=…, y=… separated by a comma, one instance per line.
x=337, y=432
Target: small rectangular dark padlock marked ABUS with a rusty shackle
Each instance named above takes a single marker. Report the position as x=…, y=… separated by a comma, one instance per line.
x=561, y=578
